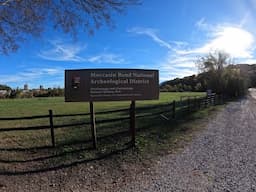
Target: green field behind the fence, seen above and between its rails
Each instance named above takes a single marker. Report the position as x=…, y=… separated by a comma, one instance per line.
x=40, y=106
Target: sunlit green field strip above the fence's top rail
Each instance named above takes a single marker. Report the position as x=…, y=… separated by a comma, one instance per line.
x=40, y=106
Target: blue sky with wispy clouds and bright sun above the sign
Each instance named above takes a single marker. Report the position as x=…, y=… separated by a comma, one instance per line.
x=168, y=35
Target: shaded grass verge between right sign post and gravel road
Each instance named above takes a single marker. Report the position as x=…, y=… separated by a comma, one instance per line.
x=171, y=136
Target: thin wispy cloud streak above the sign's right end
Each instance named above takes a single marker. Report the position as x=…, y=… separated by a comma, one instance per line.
x=152, y=34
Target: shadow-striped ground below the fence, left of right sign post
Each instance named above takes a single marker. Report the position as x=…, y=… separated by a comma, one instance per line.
x=19, y=161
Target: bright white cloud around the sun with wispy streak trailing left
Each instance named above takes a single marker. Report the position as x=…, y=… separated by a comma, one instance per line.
x=181, y=56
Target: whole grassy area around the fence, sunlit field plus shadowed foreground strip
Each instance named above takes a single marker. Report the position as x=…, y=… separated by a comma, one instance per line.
x=30, y=150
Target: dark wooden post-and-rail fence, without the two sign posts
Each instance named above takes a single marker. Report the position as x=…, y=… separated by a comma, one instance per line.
x=172, y=109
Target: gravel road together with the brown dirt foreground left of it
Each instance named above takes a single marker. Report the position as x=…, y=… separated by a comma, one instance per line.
x=221, y=158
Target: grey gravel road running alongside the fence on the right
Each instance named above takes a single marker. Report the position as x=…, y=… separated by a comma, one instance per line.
x=222, y=158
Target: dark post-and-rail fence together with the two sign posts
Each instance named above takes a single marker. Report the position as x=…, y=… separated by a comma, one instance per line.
x=183, y=106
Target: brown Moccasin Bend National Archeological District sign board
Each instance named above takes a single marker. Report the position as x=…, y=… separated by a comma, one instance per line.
x=111, y=85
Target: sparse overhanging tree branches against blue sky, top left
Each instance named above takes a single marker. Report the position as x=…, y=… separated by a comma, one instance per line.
x=19, y=18
